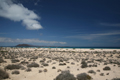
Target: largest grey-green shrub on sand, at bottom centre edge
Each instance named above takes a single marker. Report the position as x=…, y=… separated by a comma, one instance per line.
x=65, y=75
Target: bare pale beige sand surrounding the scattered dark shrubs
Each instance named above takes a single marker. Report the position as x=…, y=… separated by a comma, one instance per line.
x=74, y=55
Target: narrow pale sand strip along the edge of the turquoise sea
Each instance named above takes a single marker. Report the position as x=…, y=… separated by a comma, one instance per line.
x=63, y=49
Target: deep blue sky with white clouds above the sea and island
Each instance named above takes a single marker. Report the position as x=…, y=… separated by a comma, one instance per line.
x=85, y=23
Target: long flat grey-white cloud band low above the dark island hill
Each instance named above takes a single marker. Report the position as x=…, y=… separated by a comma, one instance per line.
x=9, y=40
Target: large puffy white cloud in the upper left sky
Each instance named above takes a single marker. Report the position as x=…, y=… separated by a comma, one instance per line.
x=17, y=12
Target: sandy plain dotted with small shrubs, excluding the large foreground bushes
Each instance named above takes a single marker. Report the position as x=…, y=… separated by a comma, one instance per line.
x=62, y=59
